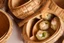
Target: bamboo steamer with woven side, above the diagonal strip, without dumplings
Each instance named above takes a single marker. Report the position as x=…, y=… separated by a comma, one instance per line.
x=24, y=9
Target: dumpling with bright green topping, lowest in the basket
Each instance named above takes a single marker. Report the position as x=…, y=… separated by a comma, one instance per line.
x=41, y=35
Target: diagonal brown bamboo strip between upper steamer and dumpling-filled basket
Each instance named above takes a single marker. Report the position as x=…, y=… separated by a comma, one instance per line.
x=42, y=9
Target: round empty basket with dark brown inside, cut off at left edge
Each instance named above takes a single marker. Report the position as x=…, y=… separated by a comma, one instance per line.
x=5, y=26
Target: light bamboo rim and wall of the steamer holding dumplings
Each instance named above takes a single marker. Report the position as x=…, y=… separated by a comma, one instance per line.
x=27, y=27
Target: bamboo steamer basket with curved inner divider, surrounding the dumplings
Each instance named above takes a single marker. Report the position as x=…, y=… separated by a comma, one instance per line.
x=32, y=27
